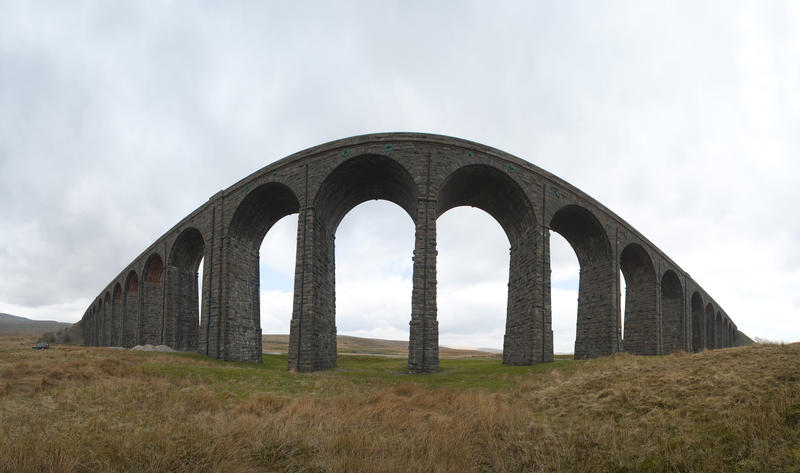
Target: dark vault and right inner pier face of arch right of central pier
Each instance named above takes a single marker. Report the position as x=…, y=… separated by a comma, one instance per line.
x=496, y=193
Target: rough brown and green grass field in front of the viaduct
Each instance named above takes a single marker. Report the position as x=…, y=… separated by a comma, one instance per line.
x=75, y=409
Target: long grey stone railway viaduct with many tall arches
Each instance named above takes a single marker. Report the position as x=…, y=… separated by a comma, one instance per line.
x=155, y=299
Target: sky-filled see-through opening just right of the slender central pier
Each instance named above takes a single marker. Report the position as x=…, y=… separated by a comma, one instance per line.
x=472, y=279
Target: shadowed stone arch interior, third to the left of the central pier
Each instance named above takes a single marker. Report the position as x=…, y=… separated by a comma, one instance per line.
x=181, y=318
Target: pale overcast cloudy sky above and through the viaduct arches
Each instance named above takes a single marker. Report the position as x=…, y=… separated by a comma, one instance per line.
x=117, y=119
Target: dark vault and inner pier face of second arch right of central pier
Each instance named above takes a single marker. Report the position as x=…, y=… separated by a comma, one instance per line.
x=598, y=310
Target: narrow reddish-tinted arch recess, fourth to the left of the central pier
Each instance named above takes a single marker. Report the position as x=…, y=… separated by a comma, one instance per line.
x=152, y=303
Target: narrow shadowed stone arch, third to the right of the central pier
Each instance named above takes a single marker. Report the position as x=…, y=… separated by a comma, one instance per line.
x=641, y=313
